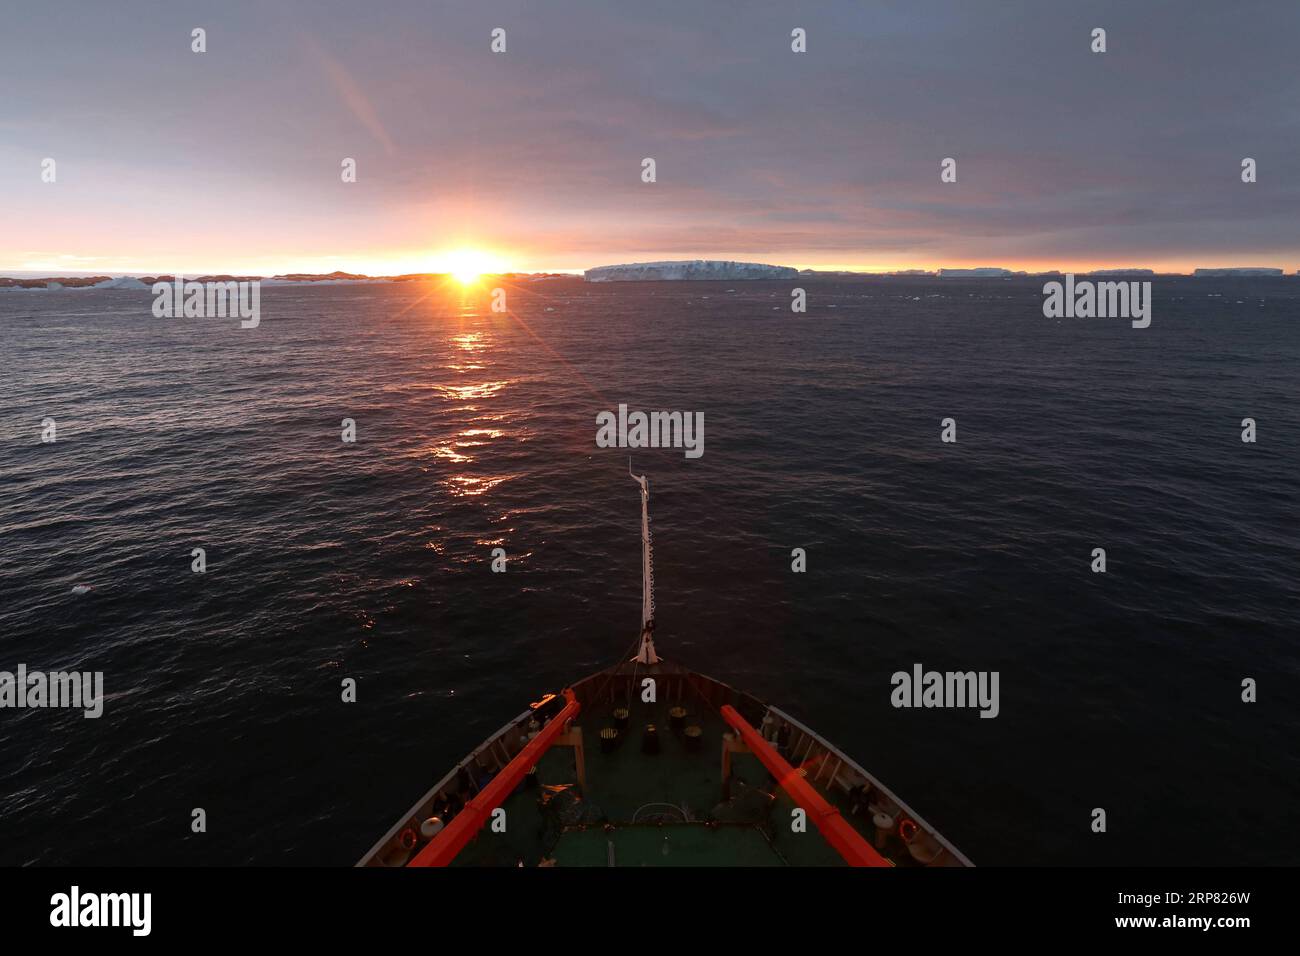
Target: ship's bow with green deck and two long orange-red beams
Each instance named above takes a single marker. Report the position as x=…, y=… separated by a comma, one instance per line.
x=671, y=807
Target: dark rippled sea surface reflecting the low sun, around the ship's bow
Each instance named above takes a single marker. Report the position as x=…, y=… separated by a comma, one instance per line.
x=476, y=430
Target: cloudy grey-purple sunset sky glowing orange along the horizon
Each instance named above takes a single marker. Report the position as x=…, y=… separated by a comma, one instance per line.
x=229, y=161
